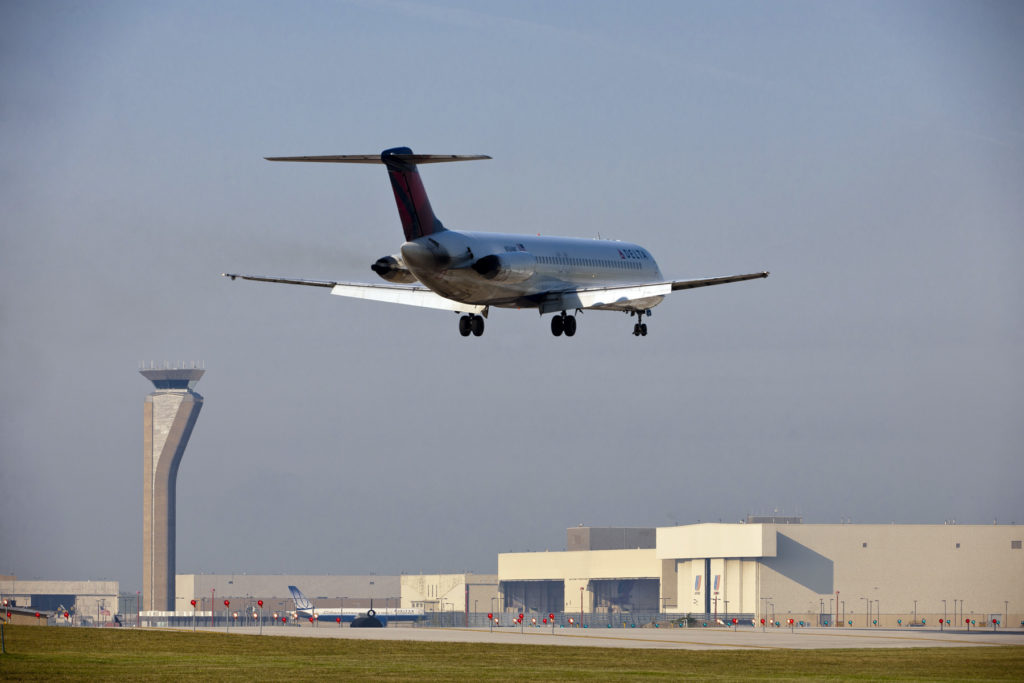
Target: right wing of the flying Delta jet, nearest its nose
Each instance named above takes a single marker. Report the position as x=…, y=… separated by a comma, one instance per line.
x=631, y=297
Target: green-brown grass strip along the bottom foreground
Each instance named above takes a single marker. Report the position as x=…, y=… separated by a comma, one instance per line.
x=41, y=653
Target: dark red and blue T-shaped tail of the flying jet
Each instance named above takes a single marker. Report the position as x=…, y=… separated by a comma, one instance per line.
x=418, y=218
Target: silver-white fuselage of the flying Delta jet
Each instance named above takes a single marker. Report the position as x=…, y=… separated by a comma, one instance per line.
x=536, y=266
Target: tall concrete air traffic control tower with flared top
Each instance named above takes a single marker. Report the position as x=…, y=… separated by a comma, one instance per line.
x=168, y=417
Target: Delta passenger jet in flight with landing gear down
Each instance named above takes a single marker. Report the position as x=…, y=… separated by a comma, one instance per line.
x=472, y=273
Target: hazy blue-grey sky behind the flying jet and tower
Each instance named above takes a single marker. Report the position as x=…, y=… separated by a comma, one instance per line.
x=871, y=155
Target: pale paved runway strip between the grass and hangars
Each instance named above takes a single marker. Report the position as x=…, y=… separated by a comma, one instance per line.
x=692, y=639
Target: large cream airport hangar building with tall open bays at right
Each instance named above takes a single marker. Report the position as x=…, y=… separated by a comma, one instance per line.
x=779, y=568
